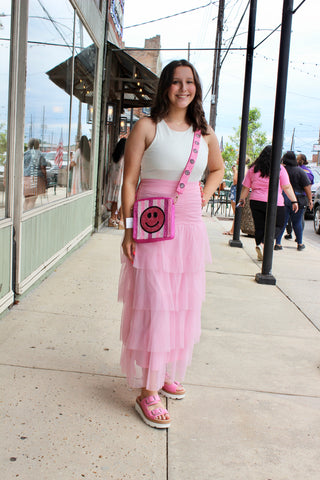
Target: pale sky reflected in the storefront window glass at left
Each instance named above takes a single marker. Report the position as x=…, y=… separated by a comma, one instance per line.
x=46, y=104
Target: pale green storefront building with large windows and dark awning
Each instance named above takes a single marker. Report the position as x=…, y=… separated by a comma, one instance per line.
x=66, y=82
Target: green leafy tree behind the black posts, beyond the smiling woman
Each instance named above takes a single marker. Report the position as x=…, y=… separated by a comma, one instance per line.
x=256, y=139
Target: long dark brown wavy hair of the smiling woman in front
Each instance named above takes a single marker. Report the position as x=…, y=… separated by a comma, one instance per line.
x=160, y=109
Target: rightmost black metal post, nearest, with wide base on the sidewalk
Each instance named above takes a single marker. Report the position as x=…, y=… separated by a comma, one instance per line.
x=266, y=276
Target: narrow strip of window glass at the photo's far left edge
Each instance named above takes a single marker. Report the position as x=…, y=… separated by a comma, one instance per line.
x=5, y=21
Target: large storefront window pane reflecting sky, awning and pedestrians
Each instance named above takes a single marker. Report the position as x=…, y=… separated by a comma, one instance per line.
x=56, y=109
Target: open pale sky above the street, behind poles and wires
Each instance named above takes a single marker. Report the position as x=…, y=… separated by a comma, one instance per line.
x=302, y=113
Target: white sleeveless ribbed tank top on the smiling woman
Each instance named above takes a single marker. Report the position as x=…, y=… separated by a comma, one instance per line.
x=168, y=153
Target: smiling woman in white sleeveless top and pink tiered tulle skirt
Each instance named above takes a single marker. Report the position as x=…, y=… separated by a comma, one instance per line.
x=162, y=284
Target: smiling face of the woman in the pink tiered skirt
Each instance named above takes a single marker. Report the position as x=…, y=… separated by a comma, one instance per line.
x=183, y=89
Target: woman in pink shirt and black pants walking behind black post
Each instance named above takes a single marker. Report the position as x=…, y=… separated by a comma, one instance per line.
x=257, y=179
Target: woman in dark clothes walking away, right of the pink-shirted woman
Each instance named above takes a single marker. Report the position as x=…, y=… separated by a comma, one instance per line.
x=302, y=188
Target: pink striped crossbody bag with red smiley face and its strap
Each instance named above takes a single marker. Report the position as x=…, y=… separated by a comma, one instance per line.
x=153, y=217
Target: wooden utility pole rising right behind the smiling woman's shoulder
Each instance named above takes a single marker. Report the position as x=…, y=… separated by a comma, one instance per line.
x=216, y=66
